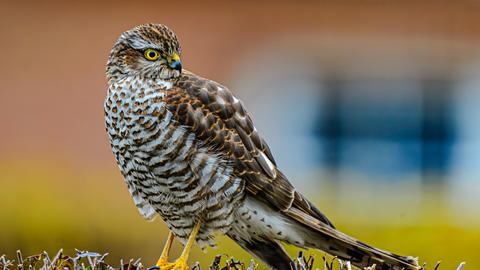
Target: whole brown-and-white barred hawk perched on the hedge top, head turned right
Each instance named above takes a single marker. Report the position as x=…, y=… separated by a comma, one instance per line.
x=189, y=152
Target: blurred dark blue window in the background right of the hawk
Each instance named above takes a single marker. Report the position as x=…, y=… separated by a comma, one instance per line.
x=363, y=129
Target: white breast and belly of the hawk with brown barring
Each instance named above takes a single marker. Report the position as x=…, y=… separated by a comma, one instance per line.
x=166, y=169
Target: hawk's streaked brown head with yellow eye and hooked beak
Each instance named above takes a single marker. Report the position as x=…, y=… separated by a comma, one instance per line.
x=149, y=51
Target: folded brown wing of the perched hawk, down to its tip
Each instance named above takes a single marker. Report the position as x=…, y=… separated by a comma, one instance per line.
x=220, y=121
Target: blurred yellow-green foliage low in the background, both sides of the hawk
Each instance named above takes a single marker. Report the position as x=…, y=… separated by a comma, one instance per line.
x=48, y=207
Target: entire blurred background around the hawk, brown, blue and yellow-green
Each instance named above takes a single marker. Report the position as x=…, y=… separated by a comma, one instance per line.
x=370, y=107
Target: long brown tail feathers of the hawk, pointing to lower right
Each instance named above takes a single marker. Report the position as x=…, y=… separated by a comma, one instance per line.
x=345, y=247
